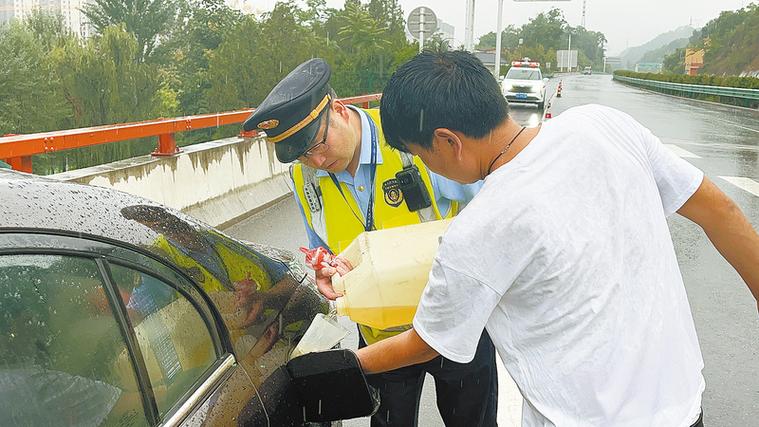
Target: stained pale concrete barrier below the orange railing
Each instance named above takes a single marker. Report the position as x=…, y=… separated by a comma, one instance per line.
x=219, y=182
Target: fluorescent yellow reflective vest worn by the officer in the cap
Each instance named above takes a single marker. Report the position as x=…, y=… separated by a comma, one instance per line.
x=340, y=223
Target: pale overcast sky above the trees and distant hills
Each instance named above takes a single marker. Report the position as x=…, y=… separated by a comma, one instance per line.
x=624, y=22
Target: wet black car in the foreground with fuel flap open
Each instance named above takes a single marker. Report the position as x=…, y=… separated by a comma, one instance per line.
x=115, y=310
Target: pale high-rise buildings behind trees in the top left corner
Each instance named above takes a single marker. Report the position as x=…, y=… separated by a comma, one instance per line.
x=69, y=10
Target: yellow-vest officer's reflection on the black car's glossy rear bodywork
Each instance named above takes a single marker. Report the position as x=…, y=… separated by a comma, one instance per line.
x=249, y=289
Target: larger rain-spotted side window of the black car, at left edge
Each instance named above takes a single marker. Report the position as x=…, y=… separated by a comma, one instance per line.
x=62, y=356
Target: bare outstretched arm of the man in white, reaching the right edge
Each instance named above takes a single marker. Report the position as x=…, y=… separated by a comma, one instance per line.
x=728, y=229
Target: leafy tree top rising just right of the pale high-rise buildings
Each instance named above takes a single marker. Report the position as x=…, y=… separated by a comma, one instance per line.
x=146, y=19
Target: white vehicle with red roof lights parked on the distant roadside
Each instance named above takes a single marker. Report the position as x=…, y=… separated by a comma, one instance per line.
x=524, y=83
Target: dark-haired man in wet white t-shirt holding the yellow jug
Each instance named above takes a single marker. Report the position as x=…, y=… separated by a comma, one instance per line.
x=564, y=256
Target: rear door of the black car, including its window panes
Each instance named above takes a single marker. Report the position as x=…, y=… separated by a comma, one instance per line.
x=92, y=333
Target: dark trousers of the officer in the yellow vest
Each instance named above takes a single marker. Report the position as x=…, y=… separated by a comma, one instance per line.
x=467, y=394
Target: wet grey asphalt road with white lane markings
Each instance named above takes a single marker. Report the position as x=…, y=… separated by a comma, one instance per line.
x=723, y=141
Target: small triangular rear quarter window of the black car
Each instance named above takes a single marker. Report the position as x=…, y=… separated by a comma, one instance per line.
x=175, y=342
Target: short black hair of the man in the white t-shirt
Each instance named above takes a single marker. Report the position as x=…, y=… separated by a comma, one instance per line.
x=435, y=90
